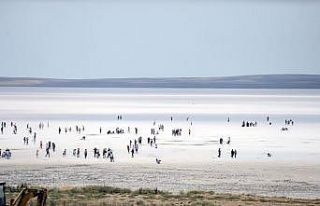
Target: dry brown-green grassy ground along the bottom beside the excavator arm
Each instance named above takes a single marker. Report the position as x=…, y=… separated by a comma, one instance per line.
x=96, y=195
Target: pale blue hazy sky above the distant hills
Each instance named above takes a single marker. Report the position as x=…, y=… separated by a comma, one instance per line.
x=158, y=38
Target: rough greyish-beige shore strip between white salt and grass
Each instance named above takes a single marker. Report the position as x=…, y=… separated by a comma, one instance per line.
x=263, y=179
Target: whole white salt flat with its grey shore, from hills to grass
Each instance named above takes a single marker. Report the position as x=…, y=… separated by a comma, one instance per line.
x=188, y=162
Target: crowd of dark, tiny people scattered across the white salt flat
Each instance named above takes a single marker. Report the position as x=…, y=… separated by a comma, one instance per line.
x=132, y=147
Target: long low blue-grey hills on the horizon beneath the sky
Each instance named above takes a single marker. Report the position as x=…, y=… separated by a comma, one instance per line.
x=284, y=81
